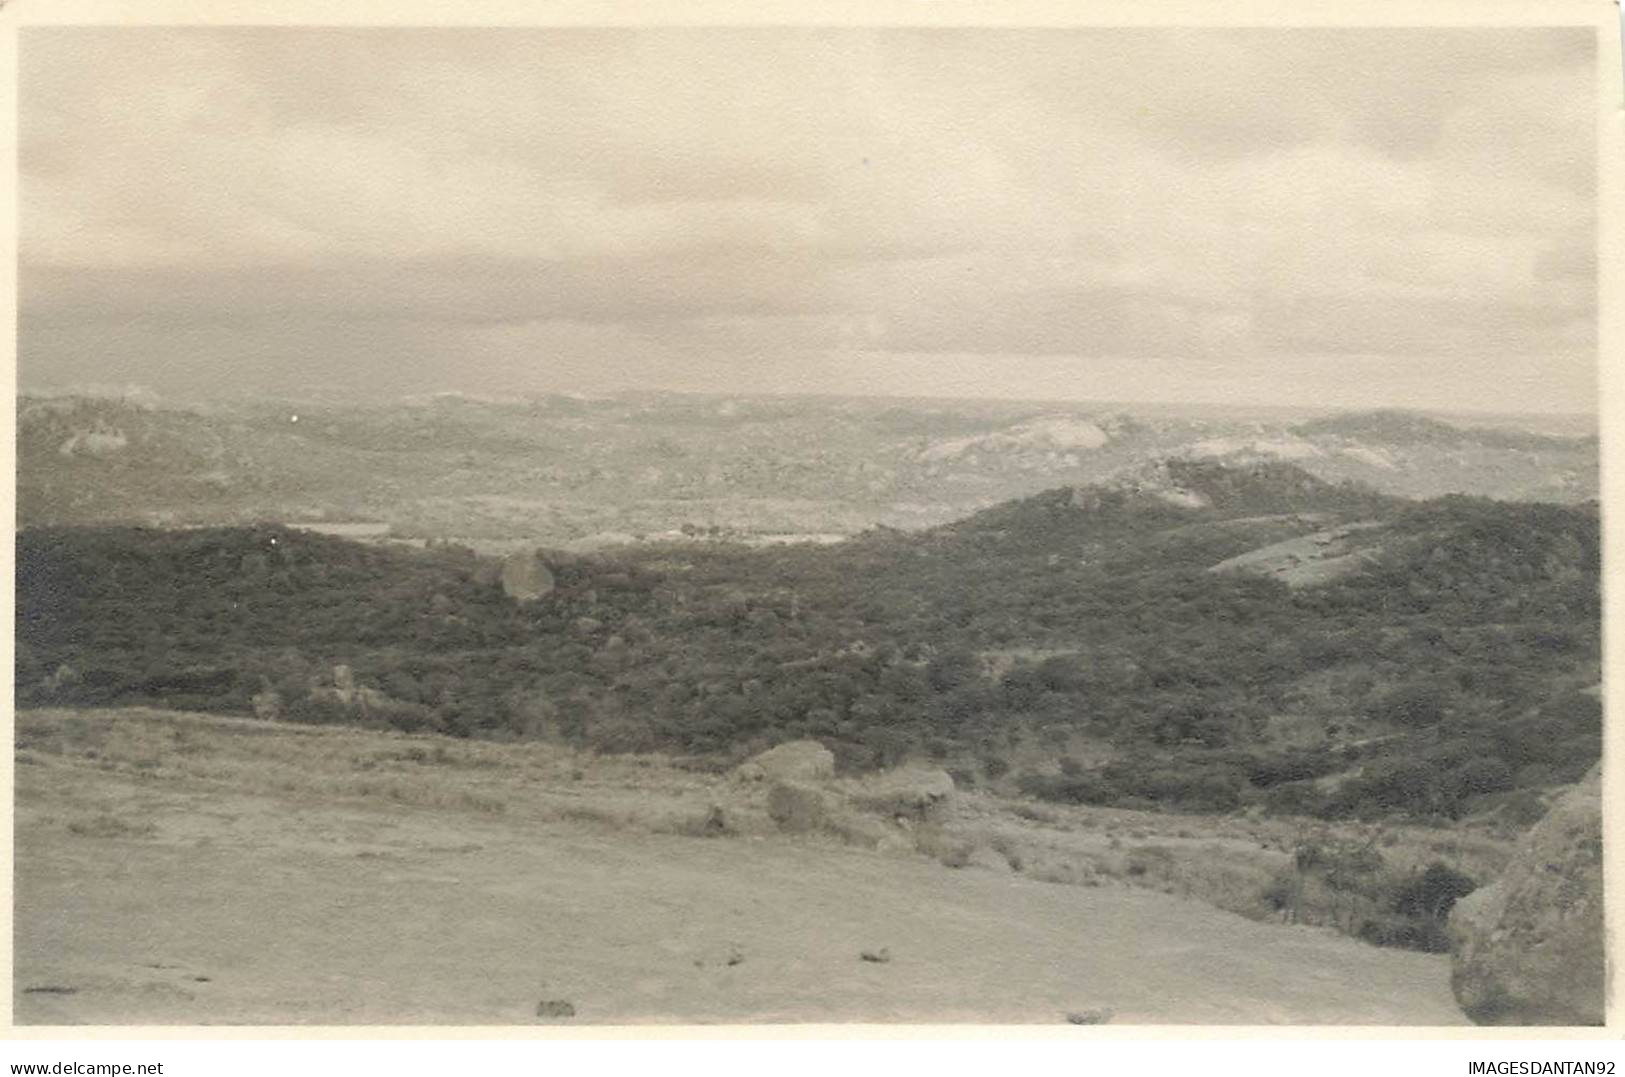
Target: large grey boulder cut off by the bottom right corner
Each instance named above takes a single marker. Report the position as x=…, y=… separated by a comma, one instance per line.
x=1530, y=948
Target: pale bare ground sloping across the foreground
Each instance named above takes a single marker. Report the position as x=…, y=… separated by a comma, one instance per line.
x=184, y=870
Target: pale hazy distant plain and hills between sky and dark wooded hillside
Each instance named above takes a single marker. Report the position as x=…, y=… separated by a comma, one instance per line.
x=561, y=470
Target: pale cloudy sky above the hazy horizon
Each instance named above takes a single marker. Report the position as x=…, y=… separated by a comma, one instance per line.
x=1276, y=217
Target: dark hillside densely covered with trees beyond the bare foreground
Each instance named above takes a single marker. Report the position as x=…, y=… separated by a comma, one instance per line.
x=1077, y=646
